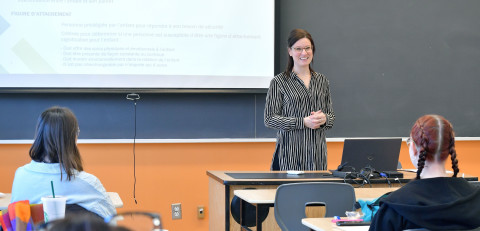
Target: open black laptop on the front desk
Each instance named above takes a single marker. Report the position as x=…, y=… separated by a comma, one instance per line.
x=379, y=154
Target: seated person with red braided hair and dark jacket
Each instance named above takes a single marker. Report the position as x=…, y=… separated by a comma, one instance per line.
x=435, y=200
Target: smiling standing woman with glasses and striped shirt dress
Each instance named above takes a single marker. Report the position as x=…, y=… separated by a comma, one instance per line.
x=299, y=106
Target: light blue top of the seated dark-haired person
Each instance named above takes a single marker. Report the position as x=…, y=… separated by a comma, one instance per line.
x=32, y=182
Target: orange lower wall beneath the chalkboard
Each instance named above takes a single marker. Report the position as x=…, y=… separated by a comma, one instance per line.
x=176, y=173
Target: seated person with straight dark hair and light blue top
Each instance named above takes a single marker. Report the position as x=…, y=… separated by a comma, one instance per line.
x=55, y=157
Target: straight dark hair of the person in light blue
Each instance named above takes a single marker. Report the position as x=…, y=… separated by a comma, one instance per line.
x=56, y=140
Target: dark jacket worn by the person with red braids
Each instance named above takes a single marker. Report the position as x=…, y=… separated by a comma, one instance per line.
x=442, y=203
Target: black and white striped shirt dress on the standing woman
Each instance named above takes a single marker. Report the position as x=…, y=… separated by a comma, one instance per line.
x=288, y=102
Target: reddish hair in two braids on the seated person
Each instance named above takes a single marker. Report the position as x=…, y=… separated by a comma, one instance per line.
x=435, y=140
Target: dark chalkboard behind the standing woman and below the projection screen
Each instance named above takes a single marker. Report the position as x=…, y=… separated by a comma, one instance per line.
x=388, y=63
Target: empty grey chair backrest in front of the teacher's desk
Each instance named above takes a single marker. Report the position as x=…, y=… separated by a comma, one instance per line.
x=291, y=200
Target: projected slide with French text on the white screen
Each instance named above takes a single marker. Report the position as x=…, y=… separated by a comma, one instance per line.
x=136, y=44
